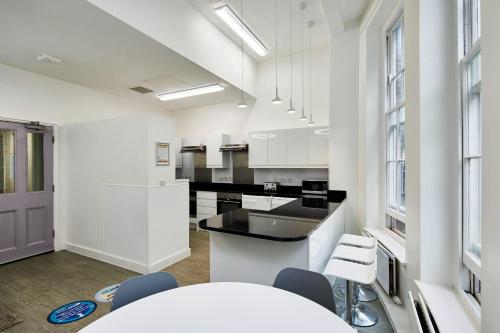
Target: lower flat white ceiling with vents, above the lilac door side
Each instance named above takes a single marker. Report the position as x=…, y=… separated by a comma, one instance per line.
x=98, y=51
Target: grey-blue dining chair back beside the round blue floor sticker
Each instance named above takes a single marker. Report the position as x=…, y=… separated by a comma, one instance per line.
x=142, y=286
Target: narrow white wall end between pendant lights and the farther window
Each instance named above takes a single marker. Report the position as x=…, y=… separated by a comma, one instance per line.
x=344, y=121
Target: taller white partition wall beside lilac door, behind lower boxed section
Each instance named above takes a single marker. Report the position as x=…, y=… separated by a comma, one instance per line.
x=111, y=151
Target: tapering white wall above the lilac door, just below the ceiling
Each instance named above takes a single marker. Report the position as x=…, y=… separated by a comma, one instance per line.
x=28, y=96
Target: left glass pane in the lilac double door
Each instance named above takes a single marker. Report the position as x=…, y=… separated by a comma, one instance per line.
x=7, y=164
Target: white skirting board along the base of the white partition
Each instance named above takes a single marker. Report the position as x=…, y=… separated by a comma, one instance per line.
x=127, y=263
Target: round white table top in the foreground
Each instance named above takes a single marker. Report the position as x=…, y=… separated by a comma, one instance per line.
x=224, y=307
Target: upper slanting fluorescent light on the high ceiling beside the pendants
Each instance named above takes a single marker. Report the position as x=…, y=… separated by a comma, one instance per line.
x=237, y=25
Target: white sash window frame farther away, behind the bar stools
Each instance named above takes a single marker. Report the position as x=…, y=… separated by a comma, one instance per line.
x=399, y=212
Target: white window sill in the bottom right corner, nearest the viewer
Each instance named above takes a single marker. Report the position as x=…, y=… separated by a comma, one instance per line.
x=450, y=312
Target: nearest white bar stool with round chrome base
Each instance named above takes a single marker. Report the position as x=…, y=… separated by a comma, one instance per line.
x=355, y=313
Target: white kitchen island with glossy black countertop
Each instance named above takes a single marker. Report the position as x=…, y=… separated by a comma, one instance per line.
x=253, y=246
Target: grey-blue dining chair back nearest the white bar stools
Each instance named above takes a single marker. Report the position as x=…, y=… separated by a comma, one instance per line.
x=308, y=284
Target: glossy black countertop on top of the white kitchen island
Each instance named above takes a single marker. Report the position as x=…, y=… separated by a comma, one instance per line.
x=291, y=222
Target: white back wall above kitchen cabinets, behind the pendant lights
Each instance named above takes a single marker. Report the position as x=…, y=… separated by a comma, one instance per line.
x=261, y=114
